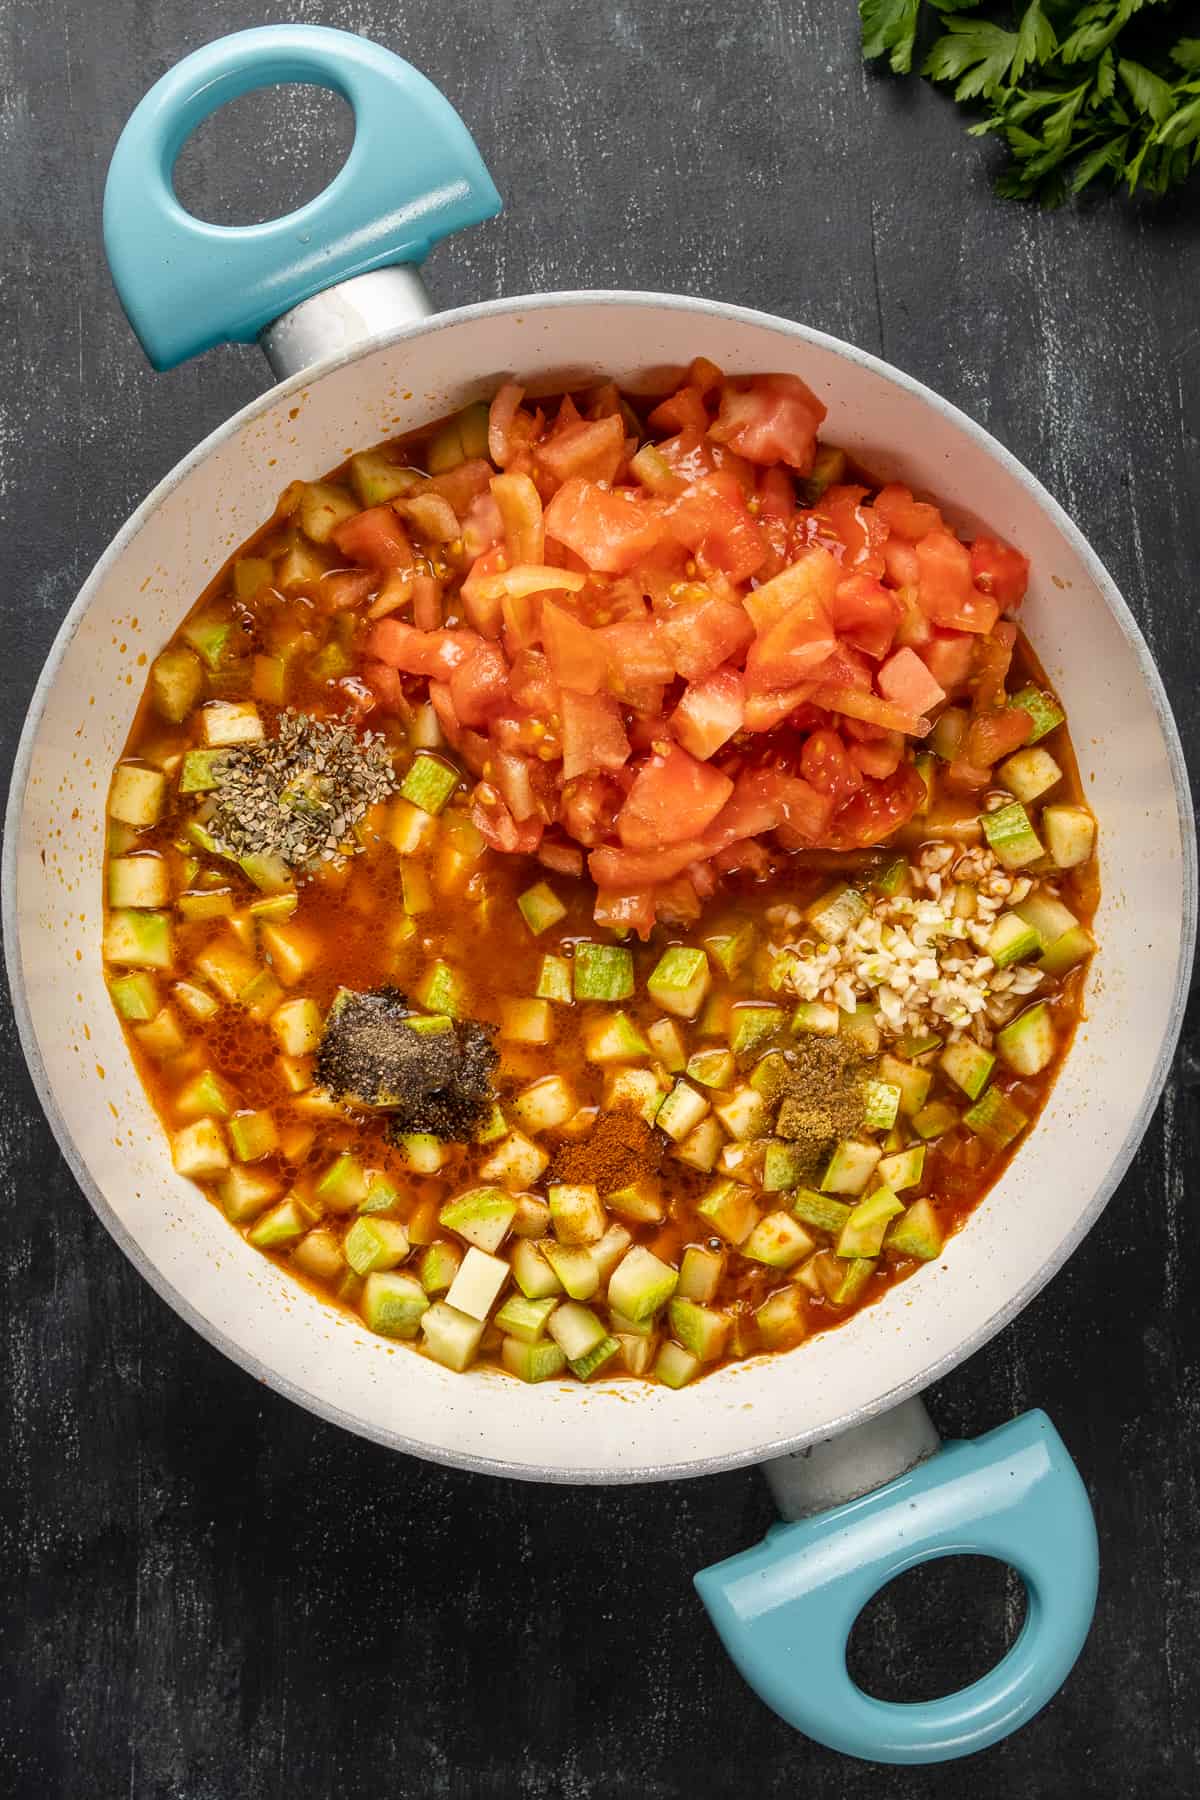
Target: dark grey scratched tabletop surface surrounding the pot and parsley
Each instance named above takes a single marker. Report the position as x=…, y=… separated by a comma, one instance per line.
x=210, y=1596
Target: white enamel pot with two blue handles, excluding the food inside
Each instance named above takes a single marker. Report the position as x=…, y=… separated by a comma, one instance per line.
x=341, y=310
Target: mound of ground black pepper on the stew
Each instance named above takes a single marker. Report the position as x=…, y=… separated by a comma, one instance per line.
x=429, y=1074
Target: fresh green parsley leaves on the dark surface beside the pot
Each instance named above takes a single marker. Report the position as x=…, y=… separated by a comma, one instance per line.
x=1061, y=84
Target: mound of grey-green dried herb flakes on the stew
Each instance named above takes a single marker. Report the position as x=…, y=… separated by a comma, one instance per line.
x=301, y=793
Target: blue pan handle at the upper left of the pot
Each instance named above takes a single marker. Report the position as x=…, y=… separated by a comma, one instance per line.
x=411, y=179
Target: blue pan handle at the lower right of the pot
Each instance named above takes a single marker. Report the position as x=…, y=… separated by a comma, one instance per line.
x=785, y=1610
